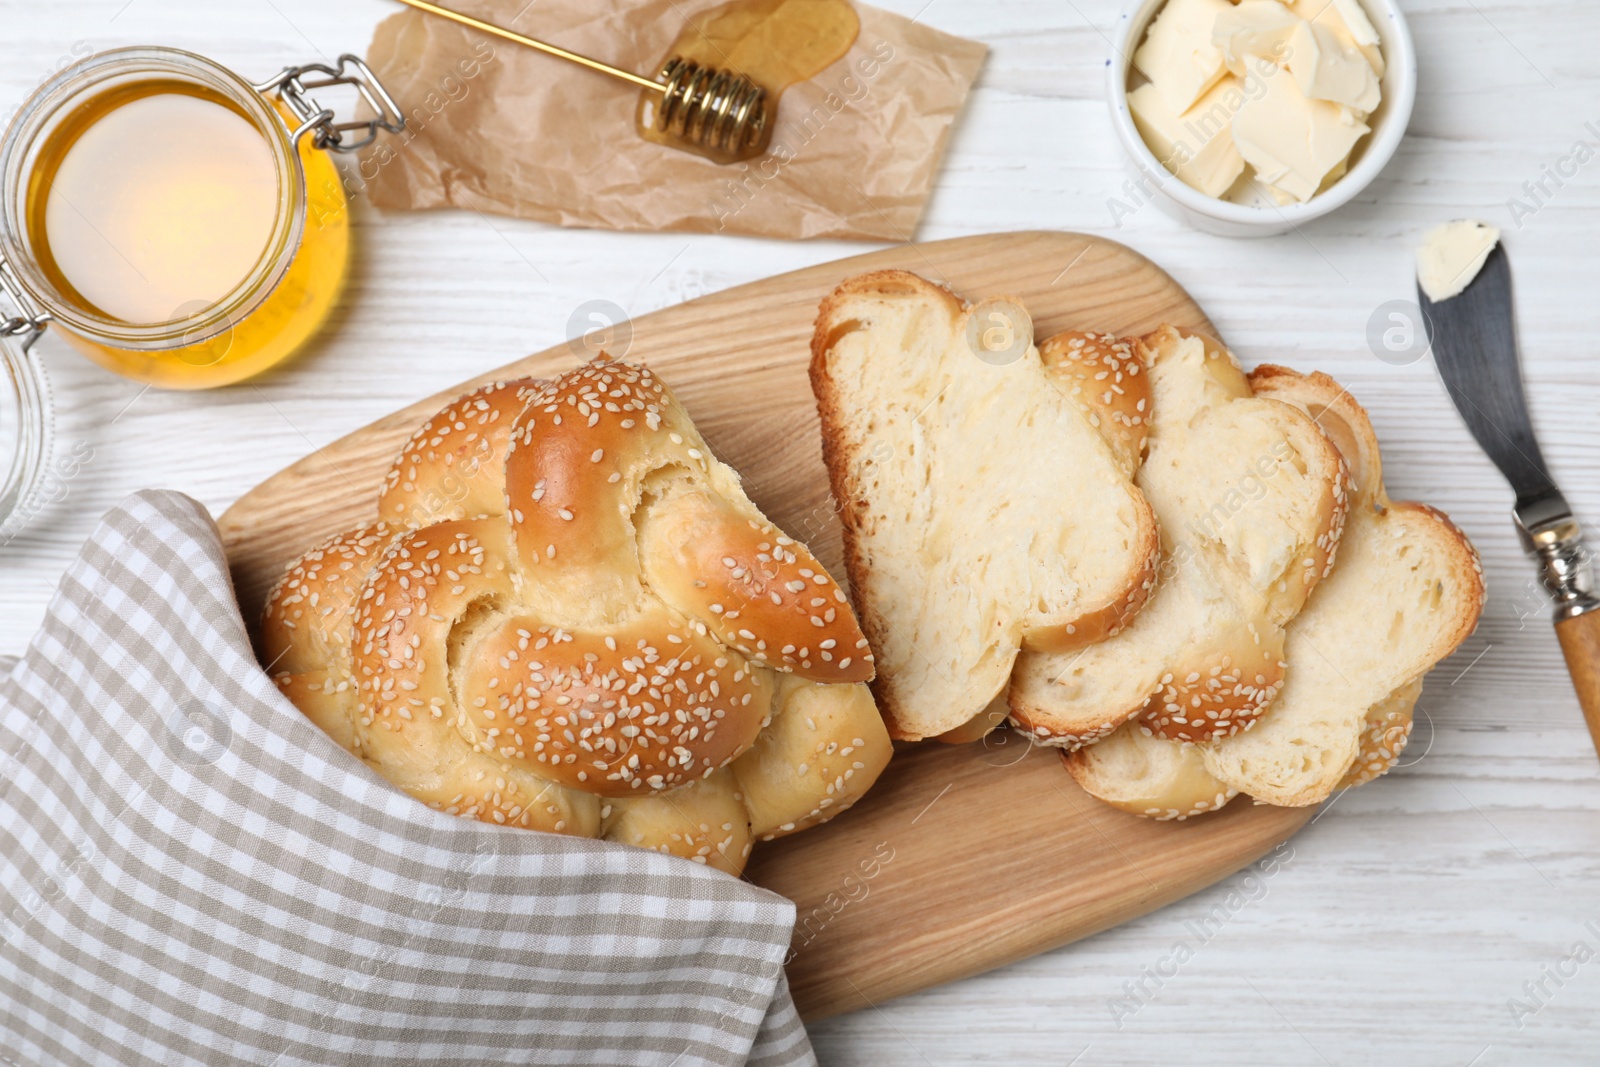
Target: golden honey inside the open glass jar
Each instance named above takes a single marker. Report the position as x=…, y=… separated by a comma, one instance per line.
x=159, y=201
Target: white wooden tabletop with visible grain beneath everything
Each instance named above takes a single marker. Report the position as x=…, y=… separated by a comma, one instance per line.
x=1415, y=913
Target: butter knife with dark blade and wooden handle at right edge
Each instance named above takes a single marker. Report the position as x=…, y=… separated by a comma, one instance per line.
x=1474, y=340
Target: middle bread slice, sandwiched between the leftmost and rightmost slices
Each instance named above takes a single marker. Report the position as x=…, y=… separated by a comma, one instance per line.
x=1252, y=497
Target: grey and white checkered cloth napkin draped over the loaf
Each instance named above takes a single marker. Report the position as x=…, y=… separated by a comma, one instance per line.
x=193, y=874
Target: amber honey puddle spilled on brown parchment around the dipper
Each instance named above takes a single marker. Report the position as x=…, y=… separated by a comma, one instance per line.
x=775, y=44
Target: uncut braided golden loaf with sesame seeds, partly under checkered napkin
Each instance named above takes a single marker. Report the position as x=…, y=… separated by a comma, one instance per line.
x=572, y=618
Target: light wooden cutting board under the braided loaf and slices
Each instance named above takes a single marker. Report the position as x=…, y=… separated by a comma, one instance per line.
x=961, y=858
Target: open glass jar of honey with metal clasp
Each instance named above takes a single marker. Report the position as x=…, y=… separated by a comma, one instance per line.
x=174, y=222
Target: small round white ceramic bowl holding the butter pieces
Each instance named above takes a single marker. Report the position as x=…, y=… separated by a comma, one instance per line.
x=1236, y=220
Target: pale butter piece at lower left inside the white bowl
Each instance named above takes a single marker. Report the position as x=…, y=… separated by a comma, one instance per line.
x=1198, y=146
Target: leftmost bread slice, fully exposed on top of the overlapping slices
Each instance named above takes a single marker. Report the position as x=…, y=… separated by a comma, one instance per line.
x=985, y=487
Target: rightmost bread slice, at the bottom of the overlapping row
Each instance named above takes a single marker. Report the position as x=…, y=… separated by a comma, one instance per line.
x=1406, y=591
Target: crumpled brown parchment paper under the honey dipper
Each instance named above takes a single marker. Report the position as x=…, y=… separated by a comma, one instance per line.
x=502, y=129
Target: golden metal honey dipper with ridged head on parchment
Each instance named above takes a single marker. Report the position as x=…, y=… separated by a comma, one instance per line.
x=711, y=110
